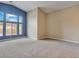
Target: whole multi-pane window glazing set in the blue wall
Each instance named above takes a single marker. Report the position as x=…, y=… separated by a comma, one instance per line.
x=11, y=23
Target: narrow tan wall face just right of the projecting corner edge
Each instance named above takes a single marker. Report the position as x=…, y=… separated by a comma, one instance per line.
x=41, y=24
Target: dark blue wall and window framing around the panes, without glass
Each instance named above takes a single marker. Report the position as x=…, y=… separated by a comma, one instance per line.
x=6, y=8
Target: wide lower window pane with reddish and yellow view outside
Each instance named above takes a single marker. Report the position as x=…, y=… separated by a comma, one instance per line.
x=11, y=29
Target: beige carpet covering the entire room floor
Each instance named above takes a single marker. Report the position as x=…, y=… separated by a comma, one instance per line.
x=25, y=48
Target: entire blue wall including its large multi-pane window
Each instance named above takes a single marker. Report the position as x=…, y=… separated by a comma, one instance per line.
x=12, y=21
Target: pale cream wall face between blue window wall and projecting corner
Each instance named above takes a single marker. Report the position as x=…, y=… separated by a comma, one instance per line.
x=32, y=24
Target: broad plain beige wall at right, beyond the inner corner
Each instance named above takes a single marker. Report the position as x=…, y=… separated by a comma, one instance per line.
x=64, y=24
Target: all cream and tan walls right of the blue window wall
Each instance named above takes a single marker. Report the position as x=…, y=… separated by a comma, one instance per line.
x=62, y=25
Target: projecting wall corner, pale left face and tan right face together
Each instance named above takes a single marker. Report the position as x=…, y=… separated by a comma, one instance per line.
x=36, y=24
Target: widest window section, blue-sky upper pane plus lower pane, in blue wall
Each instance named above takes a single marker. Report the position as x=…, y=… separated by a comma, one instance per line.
x=11, y=24
